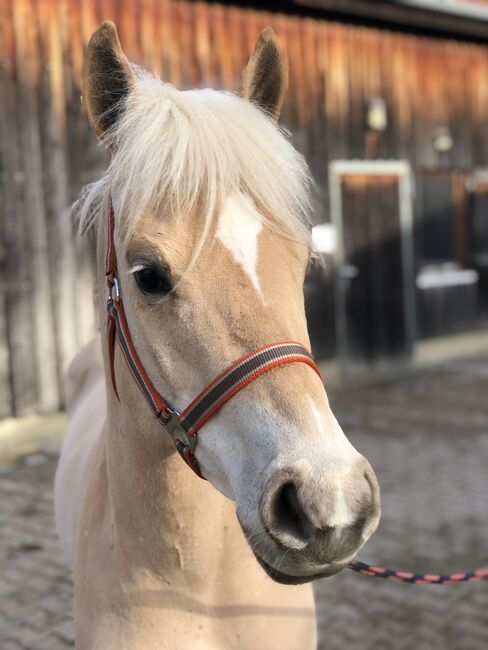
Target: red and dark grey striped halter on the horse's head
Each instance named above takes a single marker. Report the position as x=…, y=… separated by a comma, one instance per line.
x=183, y=426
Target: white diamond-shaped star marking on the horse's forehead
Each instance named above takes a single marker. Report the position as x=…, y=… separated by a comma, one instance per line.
x=238, y=230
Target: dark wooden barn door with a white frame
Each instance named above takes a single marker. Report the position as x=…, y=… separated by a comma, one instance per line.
x=371, y=207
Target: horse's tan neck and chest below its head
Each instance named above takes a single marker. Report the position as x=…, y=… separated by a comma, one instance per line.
x=169, y=556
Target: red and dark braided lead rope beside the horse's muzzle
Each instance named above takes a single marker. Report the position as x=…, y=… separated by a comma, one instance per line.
x=477, y=575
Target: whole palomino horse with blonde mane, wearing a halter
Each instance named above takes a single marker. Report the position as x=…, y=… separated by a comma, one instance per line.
x=202, y=231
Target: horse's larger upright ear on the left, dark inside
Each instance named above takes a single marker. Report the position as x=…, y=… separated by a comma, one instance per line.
x=107, y=78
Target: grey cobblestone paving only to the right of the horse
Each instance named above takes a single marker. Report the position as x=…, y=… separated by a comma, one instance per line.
x=427, y=438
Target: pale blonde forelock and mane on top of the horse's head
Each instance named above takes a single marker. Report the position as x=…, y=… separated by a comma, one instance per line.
x=183, y=150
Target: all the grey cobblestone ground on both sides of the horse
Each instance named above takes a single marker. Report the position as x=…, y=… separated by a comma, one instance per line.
x=427, y=438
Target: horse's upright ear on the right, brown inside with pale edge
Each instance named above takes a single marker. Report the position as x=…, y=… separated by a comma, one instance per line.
x=266, y=75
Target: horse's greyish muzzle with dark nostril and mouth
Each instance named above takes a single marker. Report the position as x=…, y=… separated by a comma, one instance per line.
x=312, y=527
